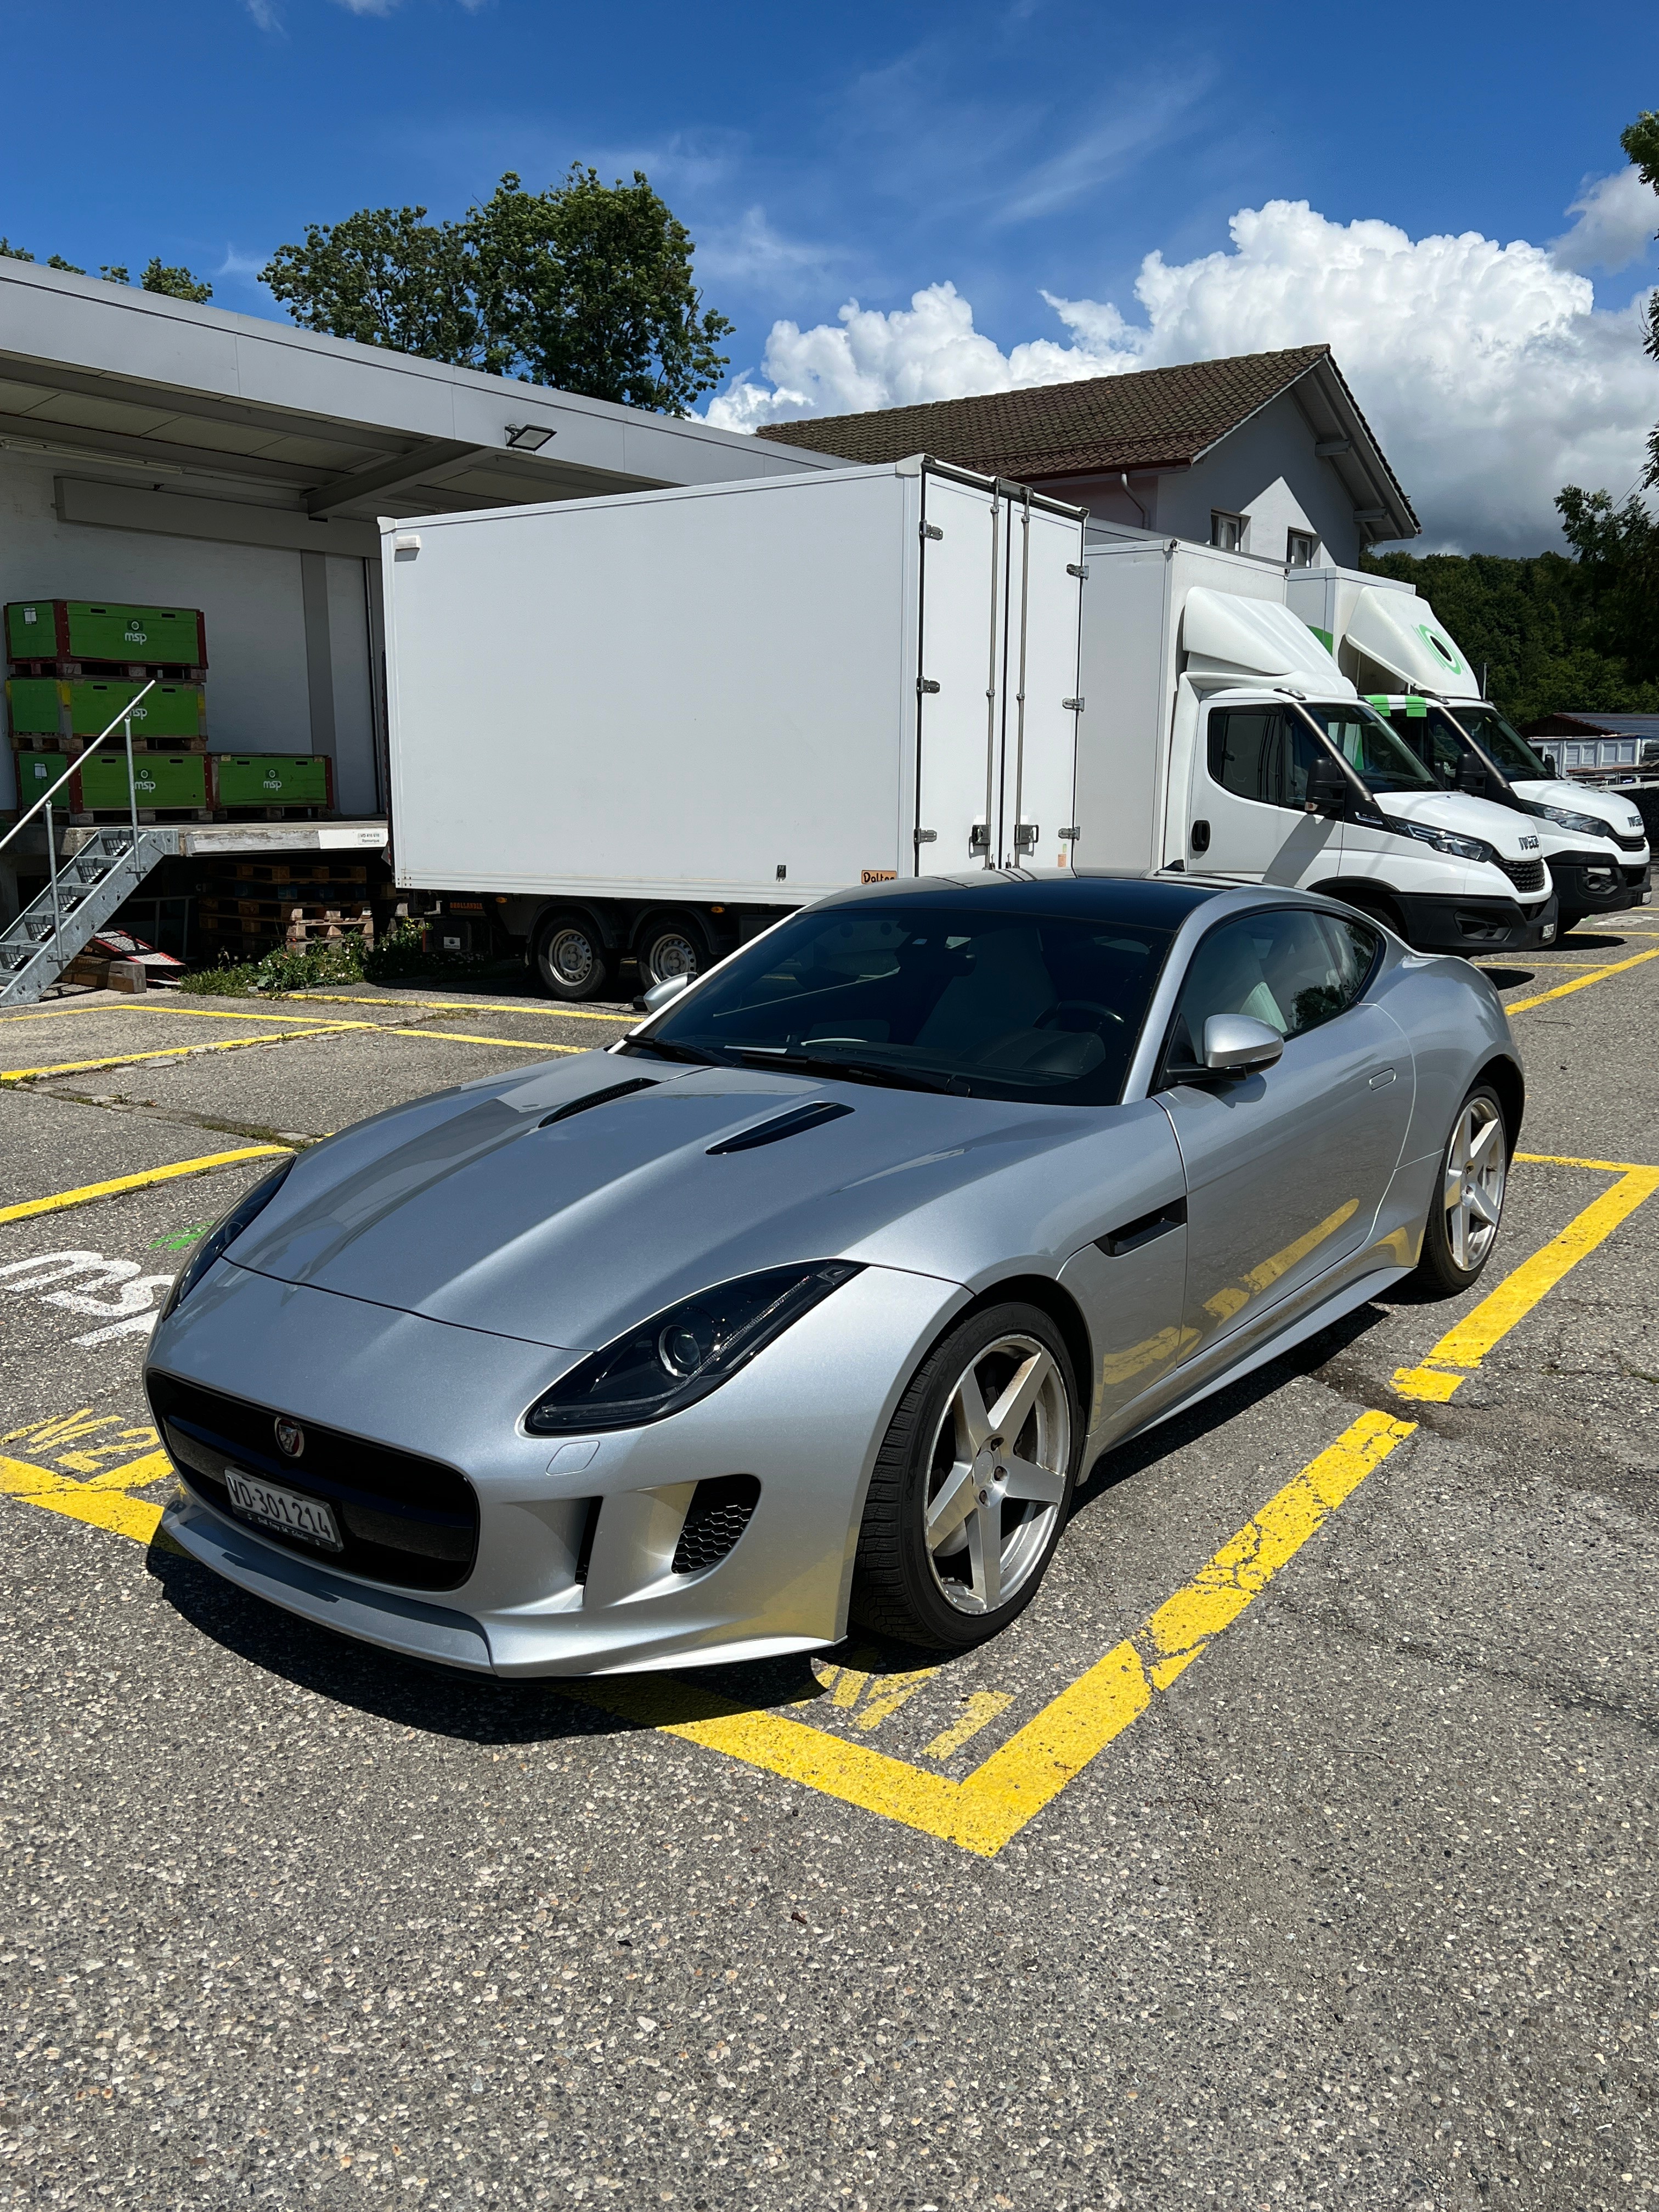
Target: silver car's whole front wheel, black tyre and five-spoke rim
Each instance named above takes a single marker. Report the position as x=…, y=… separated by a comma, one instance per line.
x=972, y=1483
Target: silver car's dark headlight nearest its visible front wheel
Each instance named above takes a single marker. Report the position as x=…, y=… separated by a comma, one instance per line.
x=685, y=1353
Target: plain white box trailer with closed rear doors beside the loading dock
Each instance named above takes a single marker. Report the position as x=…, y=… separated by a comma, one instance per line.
x=645, y=727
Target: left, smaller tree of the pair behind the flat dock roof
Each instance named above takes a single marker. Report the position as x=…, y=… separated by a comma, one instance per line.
x=384, y=278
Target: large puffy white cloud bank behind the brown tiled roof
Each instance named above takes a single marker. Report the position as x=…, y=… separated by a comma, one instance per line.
x=1488, y=371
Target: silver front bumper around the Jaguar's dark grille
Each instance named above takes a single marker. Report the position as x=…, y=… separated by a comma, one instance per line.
x=806, y=1419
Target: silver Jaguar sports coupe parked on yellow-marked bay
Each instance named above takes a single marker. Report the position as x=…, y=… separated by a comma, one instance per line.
x=813, y=1300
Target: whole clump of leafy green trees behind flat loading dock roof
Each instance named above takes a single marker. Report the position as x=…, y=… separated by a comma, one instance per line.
x=585, y=286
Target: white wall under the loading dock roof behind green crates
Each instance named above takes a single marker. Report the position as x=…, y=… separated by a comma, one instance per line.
x=251, y=596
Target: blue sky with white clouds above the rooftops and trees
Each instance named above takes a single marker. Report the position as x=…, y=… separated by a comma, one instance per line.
x=875, y=152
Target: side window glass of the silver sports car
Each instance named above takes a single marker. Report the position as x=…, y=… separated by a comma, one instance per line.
x=1286, y=968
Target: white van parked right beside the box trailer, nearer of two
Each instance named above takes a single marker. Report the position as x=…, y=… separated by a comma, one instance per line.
x=1222, y=738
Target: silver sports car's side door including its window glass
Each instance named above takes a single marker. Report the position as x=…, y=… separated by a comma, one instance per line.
x=1286, y=1169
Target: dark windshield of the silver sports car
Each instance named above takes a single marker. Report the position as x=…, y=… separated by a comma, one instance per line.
x=977, y=1001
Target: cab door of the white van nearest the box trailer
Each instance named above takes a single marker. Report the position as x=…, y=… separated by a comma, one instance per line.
x=1251, y=800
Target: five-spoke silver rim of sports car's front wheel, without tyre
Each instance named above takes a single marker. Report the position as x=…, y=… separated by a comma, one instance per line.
x=999, y=1474
